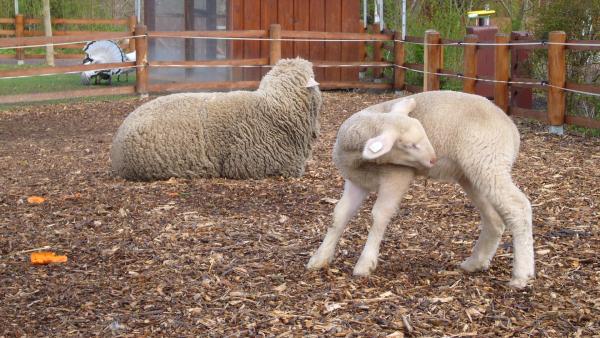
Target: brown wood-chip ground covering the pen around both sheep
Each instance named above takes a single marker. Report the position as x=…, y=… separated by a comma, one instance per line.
x=217, y=257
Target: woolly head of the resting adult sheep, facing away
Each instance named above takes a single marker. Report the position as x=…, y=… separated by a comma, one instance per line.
x=291, y=72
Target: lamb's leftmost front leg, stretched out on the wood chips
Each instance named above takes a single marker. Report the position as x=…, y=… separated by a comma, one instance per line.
x=345, y=209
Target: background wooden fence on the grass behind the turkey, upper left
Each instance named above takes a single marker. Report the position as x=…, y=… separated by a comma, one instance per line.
x=25, y=27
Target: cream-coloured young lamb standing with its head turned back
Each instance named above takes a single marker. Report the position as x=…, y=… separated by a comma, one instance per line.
x=383, y=147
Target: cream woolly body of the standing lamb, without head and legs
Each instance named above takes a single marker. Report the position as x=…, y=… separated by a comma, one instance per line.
x=467, y=132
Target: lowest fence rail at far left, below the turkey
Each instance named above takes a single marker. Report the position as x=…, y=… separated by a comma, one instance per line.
x=122, y=90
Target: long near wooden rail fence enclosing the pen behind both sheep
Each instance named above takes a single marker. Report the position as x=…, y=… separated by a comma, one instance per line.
x=432, y=69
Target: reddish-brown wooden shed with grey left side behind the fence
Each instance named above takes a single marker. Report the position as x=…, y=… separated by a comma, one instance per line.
x=299, y=15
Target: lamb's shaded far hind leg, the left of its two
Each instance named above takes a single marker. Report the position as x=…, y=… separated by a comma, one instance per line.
x=492, y=228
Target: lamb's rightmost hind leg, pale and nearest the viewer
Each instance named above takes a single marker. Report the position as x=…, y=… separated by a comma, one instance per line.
x=515, y=209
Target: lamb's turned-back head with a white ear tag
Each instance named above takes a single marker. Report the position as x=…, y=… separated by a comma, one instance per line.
x=402, y=141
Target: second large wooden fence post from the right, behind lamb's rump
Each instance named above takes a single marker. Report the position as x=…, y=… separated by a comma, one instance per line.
x=502, y=72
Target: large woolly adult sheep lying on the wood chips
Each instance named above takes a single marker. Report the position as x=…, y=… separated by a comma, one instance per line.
x=239, y=134
